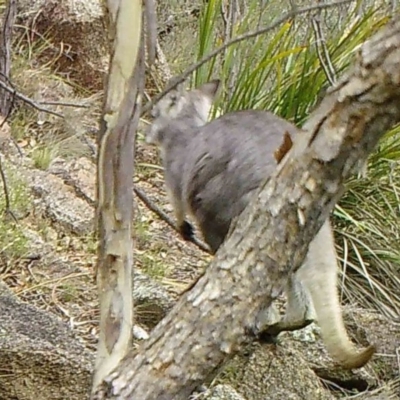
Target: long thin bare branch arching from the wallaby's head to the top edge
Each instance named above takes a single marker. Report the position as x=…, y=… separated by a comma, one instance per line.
x=286, y=17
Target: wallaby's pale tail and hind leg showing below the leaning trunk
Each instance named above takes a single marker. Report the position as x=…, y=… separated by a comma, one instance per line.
x=311, y=292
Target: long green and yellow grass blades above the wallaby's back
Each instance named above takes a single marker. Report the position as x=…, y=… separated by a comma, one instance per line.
x=279, y=71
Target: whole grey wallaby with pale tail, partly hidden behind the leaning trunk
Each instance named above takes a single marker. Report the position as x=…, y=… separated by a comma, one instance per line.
x=211, y=171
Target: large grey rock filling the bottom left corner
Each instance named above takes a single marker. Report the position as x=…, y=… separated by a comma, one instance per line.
x=40, y=358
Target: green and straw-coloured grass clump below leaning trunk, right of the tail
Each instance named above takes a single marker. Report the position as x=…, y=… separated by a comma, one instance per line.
x=368, y=221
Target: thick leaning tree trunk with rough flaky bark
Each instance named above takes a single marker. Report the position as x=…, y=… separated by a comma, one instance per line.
x=271, y=237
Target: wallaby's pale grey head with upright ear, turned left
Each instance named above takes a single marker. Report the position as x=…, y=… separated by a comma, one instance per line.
x=191, y=107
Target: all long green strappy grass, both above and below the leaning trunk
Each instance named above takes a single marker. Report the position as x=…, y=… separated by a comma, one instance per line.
x=282, y=72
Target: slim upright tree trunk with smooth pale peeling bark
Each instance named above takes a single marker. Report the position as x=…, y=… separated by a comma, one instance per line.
x=115, y=184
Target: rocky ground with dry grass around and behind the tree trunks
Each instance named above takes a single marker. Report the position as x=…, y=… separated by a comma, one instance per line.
x=48, y=299
